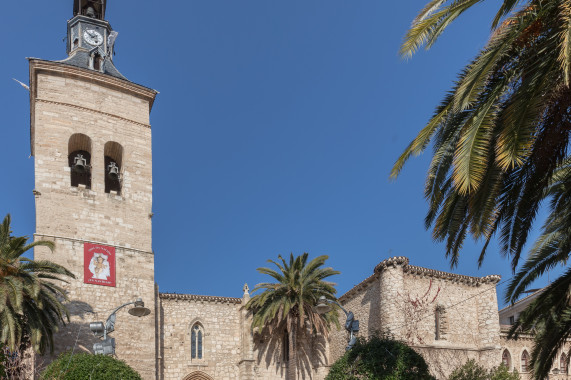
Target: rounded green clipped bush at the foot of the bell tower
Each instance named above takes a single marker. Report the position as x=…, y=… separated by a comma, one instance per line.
x=84, y=366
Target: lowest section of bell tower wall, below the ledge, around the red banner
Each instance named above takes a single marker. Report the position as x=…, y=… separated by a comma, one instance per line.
x=135, y=337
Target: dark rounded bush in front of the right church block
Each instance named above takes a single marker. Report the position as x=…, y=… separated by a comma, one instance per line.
x=380, y=358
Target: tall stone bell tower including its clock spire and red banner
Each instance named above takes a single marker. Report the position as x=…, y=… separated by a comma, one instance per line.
x=91, y=140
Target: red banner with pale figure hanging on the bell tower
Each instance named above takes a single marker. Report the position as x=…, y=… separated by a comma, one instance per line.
x=98, y=264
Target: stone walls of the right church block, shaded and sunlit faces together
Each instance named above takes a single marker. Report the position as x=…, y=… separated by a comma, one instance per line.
x=403, y=300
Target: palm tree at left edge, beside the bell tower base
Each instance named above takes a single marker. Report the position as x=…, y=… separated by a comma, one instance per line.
x=30, y=307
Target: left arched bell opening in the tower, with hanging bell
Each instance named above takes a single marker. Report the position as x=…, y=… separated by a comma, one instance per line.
x=79, y=160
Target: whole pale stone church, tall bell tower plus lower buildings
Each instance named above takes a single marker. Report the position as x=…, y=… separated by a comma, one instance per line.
x=91, y=142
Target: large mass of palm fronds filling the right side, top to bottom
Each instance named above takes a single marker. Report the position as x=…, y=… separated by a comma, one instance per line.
x=500, y=140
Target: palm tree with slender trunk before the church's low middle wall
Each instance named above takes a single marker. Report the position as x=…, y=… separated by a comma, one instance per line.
x=288, y=305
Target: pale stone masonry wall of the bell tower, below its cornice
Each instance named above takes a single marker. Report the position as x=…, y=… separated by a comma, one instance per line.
x=66, y=100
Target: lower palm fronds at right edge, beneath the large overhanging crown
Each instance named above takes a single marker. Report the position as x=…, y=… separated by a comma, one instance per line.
x=549, y=315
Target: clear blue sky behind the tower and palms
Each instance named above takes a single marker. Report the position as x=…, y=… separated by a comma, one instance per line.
x=274, y=132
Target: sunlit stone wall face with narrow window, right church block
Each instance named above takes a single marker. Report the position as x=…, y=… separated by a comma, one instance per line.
x=466, y=325
